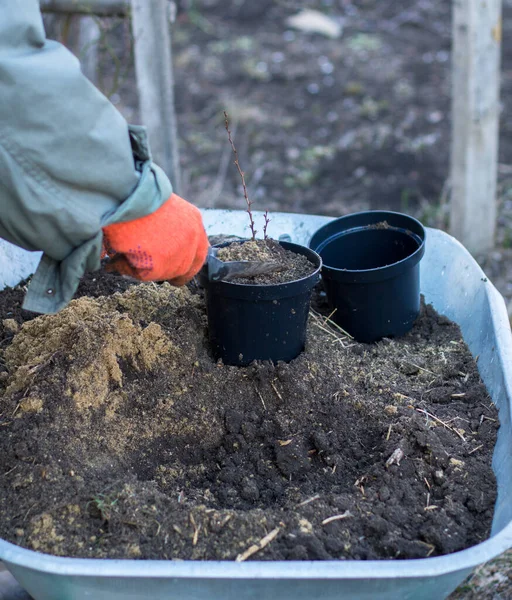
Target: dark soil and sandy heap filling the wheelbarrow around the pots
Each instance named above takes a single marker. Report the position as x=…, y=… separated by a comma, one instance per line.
x=121, y=437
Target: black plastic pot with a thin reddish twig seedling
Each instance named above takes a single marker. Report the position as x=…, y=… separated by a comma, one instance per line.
x=248, y=320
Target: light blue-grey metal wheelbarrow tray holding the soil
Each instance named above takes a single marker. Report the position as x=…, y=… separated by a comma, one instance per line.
x=455, y=285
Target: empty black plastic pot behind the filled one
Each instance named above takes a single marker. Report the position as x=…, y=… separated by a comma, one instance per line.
x=371, y=272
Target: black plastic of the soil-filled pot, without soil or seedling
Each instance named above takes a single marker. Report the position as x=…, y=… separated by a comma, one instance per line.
x=259, y=322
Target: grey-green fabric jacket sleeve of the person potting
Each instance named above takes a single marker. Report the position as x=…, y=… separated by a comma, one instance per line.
x=69, y=162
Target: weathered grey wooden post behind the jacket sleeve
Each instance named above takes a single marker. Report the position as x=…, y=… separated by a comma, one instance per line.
x=155, y=82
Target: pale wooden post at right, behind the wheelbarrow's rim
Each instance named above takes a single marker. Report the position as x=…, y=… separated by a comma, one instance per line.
x=475, y=118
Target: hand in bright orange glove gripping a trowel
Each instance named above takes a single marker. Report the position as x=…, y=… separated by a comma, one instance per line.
x=169, y=244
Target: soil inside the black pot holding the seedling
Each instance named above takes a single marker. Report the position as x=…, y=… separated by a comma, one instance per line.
x=288, y=266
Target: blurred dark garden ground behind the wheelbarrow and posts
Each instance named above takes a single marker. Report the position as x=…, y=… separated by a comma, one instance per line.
x=323, y=125
